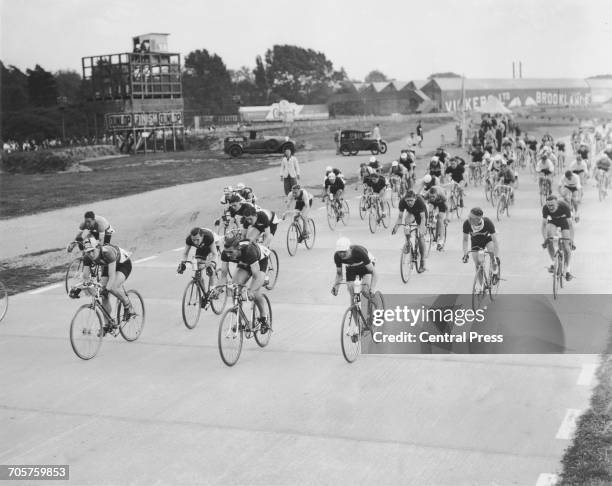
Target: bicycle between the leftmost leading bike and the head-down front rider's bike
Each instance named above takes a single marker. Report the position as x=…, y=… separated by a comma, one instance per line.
x=197, y=297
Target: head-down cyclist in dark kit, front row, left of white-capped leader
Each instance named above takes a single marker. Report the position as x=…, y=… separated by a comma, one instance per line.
x=252, y=260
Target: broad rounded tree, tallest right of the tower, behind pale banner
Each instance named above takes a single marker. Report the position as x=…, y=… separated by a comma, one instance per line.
x=297, y=74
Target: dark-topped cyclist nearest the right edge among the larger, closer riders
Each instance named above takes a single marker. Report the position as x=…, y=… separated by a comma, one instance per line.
x=557, y=214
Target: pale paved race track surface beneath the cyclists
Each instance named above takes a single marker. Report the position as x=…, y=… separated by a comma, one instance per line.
x=166, y=410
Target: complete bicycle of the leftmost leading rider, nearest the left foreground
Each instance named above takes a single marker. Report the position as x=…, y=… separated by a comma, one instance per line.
x=87, y=327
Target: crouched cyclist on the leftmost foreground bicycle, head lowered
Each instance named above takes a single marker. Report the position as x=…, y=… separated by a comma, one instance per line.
x=116, y=268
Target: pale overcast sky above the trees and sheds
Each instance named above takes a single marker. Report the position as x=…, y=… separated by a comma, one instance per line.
x=405, y=39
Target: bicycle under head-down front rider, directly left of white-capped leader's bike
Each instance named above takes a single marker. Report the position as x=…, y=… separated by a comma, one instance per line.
x=235, y=326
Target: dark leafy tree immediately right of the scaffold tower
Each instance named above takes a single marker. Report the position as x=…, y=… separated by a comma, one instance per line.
x=207, y=84
